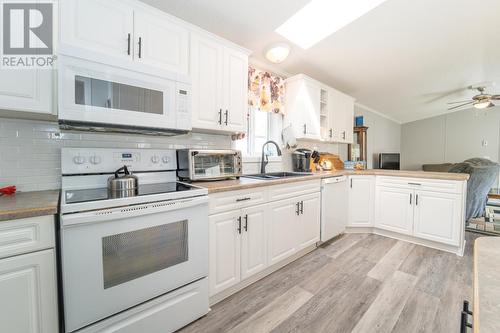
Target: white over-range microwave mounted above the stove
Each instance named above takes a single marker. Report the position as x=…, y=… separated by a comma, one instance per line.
x=94, y=96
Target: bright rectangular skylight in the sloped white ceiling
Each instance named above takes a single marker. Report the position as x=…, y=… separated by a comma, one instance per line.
x=321, y=18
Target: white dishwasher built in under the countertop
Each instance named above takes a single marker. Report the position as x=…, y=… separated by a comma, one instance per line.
x=334, y=207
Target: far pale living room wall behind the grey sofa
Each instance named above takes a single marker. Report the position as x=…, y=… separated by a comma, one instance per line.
x=452, y=138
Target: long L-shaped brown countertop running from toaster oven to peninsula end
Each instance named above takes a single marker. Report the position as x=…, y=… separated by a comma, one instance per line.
x=246, y=183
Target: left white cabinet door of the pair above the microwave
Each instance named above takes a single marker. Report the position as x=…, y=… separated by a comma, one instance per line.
x=101, y=26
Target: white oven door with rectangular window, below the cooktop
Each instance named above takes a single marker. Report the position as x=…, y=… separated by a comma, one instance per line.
x=117, y=258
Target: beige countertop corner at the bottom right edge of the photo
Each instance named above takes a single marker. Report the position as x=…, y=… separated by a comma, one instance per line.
x=487, y=285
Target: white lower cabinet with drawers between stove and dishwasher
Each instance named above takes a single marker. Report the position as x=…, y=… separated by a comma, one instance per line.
x=246, y=241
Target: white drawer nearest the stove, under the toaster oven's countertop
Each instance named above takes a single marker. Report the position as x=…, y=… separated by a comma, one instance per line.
x=223, y=202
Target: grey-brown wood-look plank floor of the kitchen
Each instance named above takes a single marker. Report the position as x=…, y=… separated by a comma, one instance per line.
x=359, y=283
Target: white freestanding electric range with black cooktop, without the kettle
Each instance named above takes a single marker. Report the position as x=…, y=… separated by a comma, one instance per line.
x=132, y=261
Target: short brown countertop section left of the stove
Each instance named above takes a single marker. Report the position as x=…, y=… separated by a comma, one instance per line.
x=28, y=204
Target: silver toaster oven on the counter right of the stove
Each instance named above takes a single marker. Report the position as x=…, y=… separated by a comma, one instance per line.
x=194, y=164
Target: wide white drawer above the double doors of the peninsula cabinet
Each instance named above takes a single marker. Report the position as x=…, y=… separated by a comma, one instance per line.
x=437, y=185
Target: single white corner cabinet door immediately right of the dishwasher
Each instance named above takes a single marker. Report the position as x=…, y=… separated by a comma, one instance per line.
x=361, y=201
